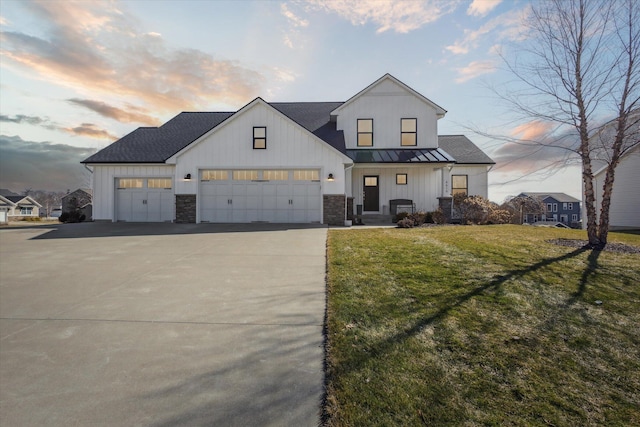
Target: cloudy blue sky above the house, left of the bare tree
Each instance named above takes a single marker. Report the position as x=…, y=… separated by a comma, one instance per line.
x=74, y=76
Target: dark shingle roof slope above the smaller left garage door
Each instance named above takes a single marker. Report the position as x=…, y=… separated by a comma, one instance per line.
x=156, y=145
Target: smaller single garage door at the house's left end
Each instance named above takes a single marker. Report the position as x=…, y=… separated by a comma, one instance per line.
x=145, y=200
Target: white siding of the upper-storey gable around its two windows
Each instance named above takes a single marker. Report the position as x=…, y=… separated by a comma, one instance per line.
x=387, y=103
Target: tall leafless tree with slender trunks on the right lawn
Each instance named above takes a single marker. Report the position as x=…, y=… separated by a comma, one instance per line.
x=580, y=65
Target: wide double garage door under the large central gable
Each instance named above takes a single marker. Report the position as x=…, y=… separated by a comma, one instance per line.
x=280, y=196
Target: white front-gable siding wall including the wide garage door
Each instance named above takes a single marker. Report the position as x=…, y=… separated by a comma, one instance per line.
x=229, y=148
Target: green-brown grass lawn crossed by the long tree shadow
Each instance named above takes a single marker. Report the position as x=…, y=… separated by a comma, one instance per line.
x=481, y=325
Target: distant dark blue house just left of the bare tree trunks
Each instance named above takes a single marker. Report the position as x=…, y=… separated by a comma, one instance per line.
x=558, y=207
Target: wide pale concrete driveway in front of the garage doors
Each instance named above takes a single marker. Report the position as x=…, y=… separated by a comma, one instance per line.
x=161, y=325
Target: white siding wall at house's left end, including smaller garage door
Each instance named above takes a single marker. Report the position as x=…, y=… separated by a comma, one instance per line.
x=140, y=204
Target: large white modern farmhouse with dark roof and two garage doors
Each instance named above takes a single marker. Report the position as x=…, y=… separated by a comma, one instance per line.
x=289, y=162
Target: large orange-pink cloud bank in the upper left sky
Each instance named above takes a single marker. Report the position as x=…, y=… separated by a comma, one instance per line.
x=93, y=48
